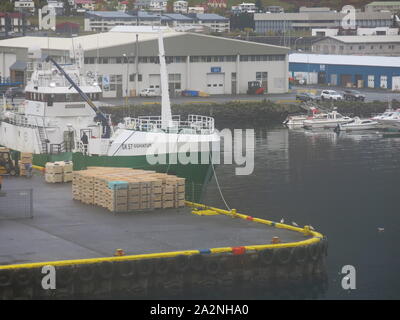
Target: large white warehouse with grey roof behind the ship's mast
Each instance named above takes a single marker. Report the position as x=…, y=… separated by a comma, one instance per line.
x=195, y=61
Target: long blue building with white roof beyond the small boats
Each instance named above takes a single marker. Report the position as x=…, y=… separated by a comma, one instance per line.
x=346, y=70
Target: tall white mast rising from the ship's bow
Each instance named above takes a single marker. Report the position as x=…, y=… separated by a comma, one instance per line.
x=166, y=117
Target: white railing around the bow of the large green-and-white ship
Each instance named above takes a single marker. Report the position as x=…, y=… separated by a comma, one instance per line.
x=195, y=124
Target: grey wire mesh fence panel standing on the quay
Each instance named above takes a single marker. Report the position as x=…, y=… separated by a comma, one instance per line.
x=16, y=204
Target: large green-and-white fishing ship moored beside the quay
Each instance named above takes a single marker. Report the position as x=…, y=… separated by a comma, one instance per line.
x=60, y=120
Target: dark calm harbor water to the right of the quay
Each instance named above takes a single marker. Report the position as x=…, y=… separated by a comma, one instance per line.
x=345, y=185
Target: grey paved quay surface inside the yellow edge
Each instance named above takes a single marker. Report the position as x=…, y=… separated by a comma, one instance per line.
x=62, y=228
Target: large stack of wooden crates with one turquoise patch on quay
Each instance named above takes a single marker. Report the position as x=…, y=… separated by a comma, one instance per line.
x=126, y=189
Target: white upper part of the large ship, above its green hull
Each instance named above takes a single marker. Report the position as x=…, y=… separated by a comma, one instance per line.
x=54, y=117
